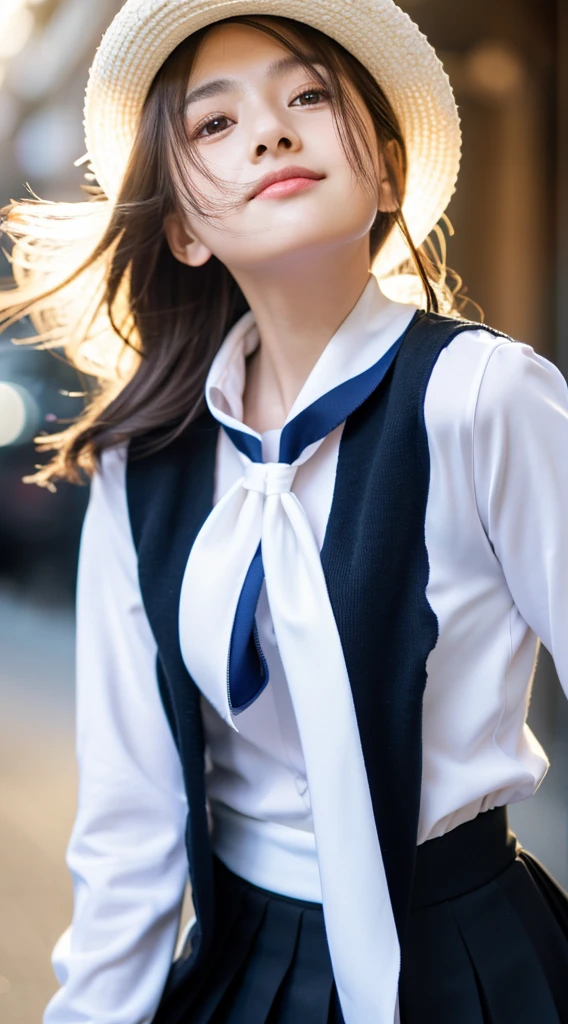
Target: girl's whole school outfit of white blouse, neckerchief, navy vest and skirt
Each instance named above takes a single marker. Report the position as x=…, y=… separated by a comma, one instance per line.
x=308, y=684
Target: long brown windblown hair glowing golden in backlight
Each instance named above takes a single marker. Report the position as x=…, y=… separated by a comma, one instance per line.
x=125, y=293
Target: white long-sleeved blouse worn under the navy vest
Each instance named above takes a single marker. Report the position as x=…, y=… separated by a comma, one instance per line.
x=497, y=418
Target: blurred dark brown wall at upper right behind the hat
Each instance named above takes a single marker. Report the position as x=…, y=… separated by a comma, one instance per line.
x=502, y=60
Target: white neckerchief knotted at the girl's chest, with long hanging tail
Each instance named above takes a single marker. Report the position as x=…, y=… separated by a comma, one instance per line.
x=261, y=506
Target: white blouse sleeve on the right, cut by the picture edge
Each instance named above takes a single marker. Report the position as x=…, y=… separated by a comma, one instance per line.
x=521, y=482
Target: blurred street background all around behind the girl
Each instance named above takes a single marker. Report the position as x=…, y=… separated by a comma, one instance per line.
x=509, y=66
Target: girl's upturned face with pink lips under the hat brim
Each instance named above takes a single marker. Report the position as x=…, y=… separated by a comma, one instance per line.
x=253, y=112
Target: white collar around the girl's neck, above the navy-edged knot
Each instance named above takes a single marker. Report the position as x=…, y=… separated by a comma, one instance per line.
x=367, y=333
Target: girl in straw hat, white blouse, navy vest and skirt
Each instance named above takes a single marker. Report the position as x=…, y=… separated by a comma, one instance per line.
x=326, y=531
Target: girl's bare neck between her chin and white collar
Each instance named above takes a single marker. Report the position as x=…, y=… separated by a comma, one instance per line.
x=298, y=308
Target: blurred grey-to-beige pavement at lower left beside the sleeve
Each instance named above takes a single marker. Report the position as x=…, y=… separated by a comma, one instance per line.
x=37, y=798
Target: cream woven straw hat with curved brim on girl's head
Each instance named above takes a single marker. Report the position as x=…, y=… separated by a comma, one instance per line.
x=377, y=32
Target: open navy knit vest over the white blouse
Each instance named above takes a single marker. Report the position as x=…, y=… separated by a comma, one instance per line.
x=376, y=567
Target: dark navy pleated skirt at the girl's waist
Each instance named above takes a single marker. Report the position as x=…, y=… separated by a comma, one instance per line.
x=488, y=944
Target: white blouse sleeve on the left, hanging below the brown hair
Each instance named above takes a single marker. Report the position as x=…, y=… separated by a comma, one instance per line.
x=126, y=854
